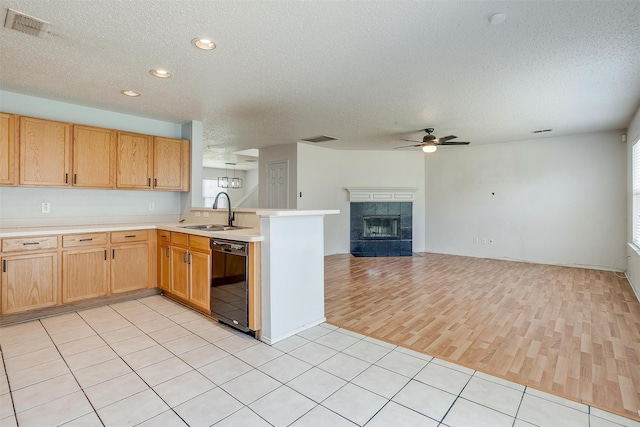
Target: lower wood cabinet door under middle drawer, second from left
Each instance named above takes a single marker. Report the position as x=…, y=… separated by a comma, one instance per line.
x=85, y=274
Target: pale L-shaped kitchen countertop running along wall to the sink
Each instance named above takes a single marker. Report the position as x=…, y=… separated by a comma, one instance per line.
x=242, y=235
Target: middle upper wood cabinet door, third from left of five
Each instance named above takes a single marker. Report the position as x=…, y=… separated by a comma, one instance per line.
x=94, y=155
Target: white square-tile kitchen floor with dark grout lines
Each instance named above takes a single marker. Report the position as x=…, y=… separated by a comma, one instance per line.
x=152, y=362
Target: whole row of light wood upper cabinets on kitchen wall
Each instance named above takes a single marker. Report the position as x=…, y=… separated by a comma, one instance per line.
x=38, y=152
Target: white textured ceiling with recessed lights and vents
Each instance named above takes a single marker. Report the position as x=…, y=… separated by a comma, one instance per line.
x=366, y=72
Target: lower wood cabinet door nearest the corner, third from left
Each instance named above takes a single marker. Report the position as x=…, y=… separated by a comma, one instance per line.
x=129, y=267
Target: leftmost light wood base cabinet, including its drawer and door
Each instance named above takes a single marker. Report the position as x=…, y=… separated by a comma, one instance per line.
x=29, y=274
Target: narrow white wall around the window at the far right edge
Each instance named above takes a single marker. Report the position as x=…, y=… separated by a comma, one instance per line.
x=633, y=269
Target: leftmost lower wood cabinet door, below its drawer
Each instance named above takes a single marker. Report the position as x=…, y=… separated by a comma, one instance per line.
x=29, y=282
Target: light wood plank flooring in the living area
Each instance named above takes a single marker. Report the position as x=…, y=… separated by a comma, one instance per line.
x=570, y=331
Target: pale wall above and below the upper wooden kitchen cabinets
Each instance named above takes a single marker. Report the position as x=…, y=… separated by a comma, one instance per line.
x=17, y=203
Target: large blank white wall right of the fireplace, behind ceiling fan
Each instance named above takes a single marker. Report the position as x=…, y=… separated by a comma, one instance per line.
x=555, y=200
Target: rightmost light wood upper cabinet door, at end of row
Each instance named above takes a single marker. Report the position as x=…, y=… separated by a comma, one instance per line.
x=171, y=164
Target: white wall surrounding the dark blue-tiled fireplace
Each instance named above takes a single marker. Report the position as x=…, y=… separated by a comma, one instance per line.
x=324, y=175
